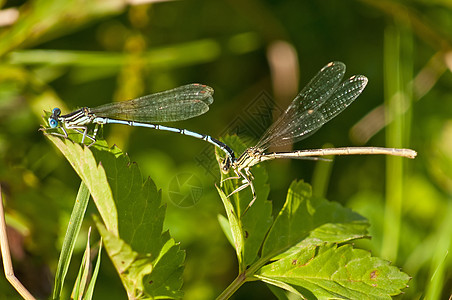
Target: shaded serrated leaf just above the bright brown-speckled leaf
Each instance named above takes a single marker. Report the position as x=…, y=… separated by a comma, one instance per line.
x=302, y=214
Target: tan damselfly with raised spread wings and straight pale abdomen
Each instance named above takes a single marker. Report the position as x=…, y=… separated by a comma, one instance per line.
x=323, y=98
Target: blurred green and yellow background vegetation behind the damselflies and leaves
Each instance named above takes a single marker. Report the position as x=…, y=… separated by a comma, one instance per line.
x=256, y=55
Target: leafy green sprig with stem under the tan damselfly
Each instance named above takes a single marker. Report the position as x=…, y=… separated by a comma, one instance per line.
x=303, y=250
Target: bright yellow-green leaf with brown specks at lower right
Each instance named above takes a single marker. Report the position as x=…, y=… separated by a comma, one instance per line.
x=329, y=271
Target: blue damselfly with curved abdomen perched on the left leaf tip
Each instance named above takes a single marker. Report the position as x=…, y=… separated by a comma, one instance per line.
x=178, y=104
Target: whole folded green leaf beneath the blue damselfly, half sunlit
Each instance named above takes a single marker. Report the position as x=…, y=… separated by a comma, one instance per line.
x=148, y=260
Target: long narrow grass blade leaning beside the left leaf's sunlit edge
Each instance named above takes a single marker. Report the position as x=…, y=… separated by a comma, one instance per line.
x=75, y=222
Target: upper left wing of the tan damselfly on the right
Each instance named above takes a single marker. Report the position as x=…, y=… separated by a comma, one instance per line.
x=303, y=113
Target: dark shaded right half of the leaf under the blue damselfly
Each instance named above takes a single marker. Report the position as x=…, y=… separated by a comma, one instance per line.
x=140, y=214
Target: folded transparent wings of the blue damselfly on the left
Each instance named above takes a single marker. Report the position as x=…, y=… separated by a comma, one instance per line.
x=178, y=104
